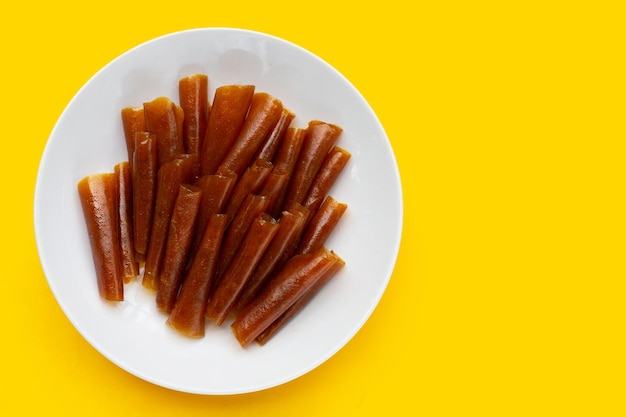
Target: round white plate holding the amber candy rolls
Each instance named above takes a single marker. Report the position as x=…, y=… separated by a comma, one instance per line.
x=88, y=138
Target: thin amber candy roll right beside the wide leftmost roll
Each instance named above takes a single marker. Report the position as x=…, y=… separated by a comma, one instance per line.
x=130, y=267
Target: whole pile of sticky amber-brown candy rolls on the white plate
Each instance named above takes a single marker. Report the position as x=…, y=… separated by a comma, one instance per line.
x=223, y=209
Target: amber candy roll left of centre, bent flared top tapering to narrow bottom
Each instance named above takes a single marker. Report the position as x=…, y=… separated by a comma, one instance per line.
x=171, y=176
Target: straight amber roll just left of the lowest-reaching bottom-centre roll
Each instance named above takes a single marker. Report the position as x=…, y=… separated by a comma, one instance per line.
x=179, y=238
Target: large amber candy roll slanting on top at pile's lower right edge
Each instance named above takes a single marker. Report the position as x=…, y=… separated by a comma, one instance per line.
x=294, y=280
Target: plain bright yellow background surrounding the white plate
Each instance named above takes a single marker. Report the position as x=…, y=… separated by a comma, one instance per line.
x=507, y=120
